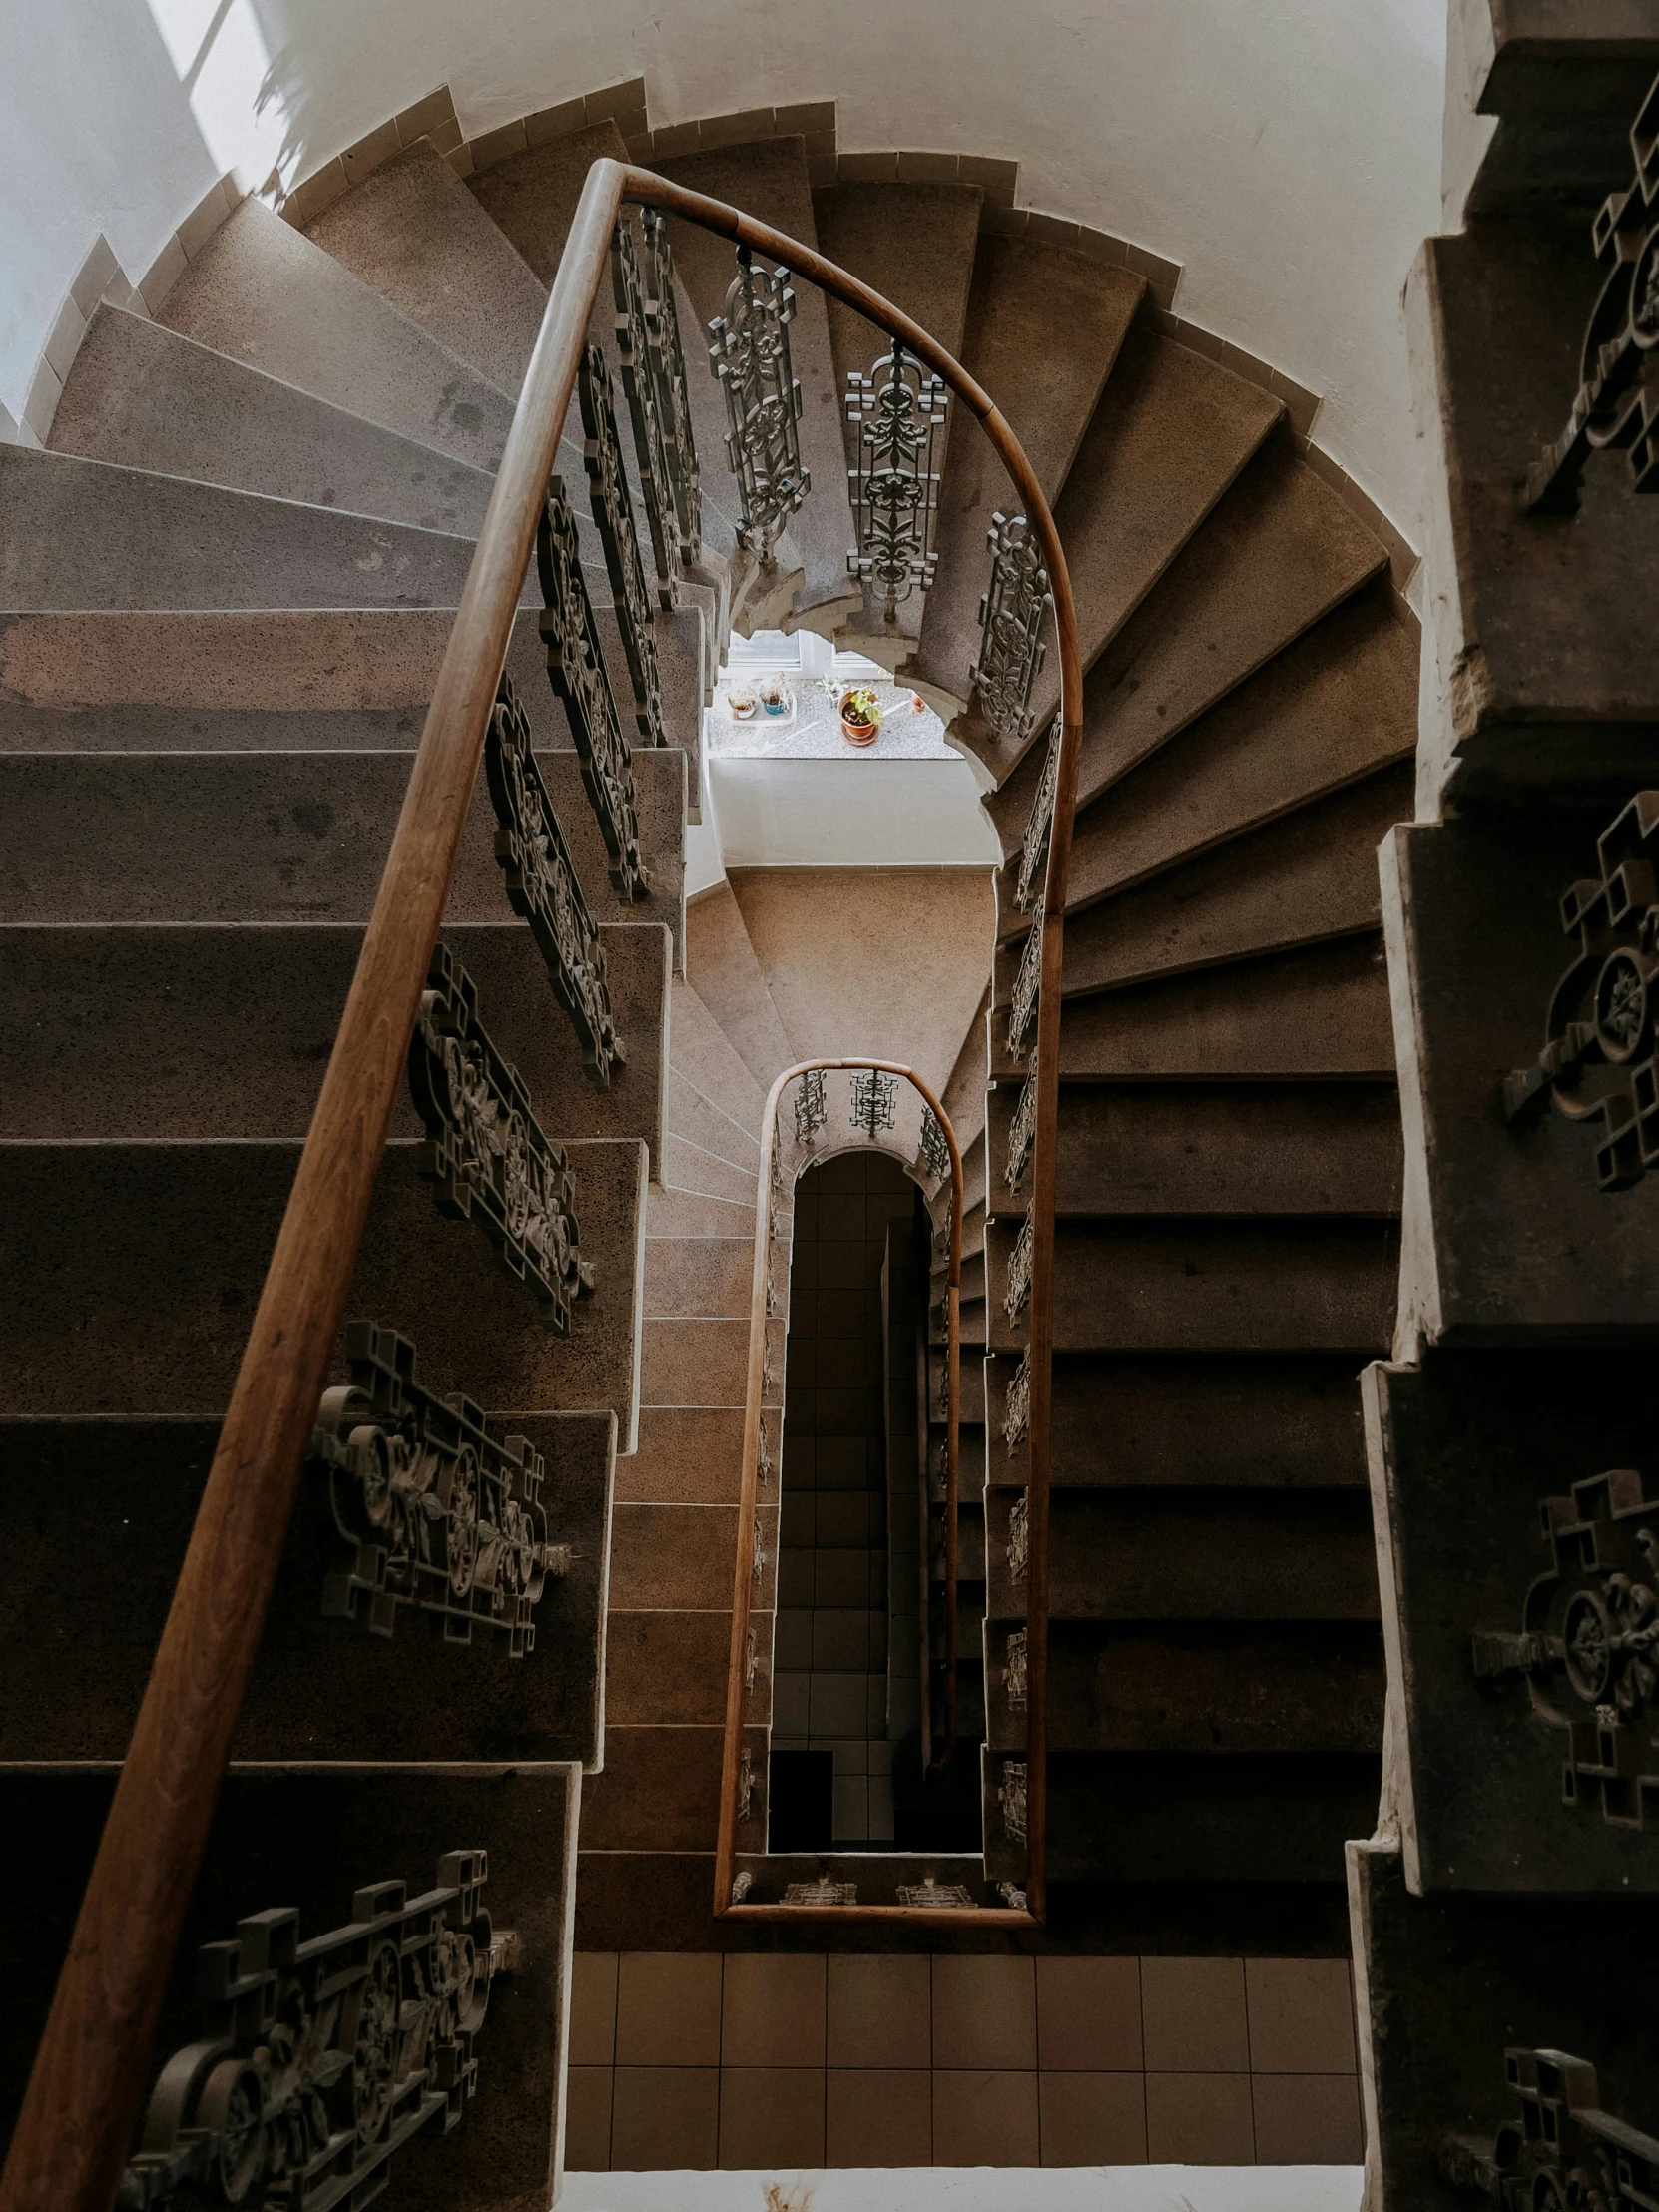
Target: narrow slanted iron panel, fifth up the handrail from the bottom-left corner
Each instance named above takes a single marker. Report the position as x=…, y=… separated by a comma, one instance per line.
x=578, y=676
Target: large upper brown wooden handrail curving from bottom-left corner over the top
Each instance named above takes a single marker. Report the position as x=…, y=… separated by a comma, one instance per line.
x=87, y=2083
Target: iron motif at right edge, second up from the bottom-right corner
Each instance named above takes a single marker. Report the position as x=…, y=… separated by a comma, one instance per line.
x=1589, y=1642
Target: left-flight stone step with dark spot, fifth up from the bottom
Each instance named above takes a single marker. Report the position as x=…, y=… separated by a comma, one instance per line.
x=282, y=837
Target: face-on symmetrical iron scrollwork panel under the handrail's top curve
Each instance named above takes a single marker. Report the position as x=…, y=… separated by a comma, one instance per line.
x=899, y=415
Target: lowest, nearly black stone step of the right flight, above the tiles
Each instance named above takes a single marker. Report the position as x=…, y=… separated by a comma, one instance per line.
x=1167, y=1817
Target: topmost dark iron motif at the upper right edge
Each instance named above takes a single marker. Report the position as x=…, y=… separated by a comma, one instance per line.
x=1616, y=406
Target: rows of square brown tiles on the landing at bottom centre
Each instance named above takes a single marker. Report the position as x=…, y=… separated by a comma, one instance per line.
x=764, y=2060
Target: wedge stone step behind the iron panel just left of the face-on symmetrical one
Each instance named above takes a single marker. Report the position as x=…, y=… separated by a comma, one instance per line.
x=771, y=182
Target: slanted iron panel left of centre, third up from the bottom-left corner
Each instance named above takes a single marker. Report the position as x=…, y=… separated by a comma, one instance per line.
x=486, y=1149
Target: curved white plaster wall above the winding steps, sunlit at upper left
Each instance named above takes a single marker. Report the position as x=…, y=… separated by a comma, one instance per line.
x=1284, y=152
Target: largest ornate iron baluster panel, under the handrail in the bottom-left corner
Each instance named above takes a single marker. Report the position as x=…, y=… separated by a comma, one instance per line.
x=320, y=2060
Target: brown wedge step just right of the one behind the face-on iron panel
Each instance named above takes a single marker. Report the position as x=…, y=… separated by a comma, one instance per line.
x=1043, y=335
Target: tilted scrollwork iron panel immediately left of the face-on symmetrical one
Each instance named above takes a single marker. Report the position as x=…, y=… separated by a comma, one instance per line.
x=751, y=357
